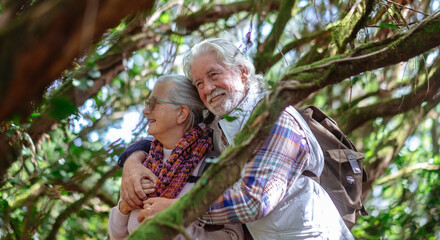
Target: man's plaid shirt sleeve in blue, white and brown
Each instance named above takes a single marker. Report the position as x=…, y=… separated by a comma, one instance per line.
x=267, y=177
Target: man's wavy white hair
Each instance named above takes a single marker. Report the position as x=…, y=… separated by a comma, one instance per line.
x=227, y=54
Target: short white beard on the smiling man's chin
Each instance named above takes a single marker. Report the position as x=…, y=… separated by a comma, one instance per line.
x=225, y=105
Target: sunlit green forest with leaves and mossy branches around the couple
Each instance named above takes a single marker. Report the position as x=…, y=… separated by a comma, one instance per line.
x=75, y=74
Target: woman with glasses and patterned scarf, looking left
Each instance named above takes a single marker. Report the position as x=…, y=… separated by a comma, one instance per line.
x=179, y=148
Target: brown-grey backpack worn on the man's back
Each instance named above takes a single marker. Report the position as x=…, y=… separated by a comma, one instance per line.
x=343, y=173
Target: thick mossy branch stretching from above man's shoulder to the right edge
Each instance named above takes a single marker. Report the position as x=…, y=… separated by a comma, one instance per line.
x=365, y=58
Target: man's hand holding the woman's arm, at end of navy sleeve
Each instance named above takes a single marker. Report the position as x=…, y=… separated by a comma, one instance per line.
x=132, y=175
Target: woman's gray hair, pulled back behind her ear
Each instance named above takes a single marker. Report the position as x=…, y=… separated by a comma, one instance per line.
x=183, y=92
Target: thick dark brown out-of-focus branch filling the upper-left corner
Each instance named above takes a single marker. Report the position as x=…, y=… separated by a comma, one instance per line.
x=70, y=25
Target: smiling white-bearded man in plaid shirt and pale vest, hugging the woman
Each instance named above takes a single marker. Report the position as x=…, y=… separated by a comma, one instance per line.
x=272, y=198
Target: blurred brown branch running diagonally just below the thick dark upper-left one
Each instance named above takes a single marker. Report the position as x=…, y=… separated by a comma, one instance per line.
x=110, y=65
